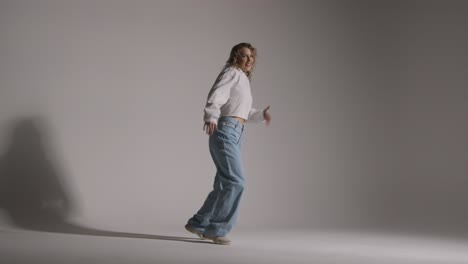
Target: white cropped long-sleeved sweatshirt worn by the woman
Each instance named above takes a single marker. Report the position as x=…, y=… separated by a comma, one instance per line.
x=231, y=96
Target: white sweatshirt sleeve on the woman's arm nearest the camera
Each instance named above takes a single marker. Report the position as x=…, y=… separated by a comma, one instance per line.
x=219, y=95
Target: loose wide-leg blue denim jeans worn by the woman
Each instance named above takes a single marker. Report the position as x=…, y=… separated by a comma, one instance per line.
x=219, y=212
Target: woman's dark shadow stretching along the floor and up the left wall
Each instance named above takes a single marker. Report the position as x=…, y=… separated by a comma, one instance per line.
x=34, y=195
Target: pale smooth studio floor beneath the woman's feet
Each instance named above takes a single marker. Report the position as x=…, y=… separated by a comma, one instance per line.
x=254, y=246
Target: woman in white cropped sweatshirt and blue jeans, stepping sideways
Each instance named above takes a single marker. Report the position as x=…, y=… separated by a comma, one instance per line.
x=228, y=107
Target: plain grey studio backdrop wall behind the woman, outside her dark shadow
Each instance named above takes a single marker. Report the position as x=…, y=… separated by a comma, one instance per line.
x=367, y=97
